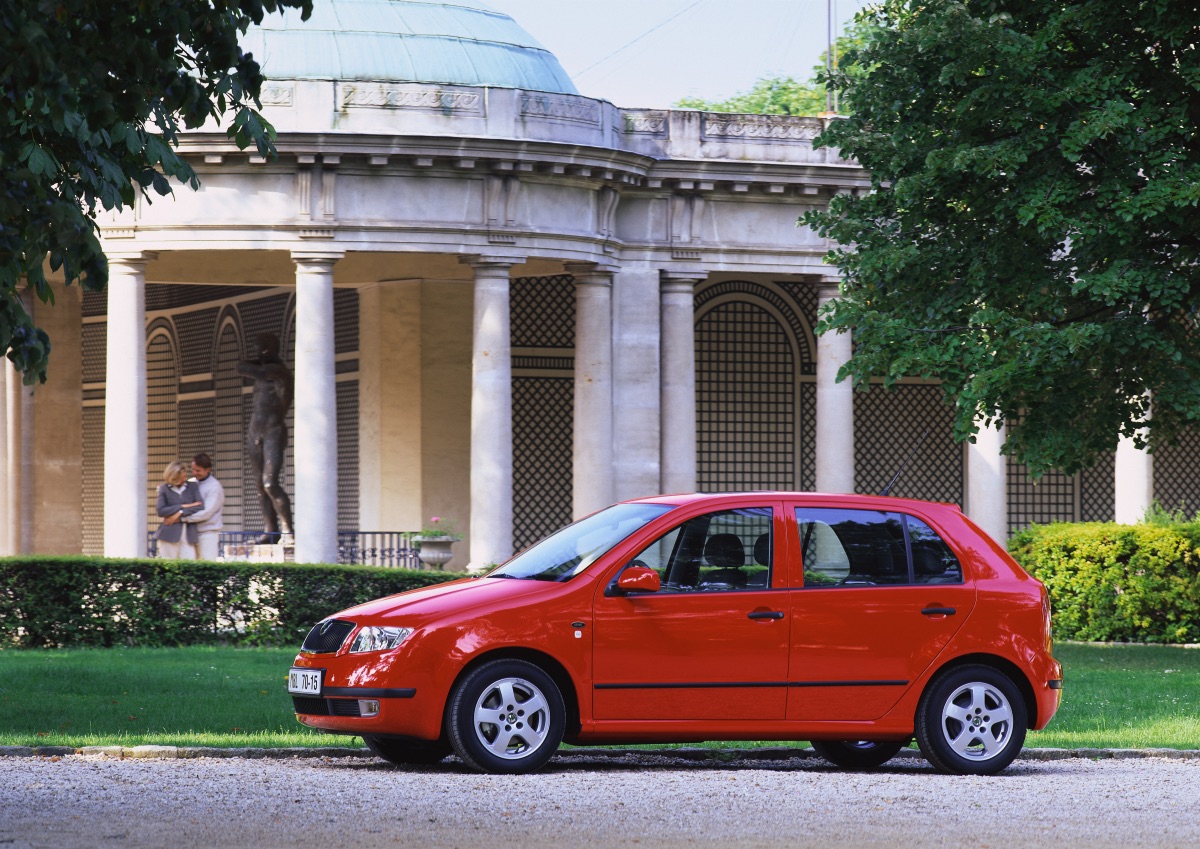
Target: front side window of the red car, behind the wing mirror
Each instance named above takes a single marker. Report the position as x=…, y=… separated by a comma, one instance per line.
x=723, y=552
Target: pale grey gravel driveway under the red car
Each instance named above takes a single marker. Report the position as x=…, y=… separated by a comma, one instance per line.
x=589, y=799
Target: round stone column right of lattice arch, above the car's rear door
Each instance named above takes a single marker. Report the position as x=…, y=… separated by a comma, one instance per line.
x=836, y=406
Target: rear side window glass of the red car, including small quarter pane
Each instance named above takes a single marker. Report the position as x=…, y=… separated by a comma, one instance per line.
x=872, y=549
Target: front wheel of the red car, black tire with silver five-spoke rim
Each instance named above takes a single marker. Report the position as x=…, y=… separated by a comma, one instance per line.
x=506, y=718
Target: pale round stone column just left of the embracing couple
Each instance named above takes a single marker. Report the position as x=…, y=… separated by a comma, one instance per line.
x=125, y=408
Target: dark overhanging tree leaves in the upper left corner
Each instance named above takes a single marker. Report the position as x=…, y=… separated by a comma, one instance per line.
x=93, y=97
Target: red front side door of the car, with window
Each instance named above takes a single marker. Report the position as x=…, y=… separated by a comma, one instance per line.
x=713, y=642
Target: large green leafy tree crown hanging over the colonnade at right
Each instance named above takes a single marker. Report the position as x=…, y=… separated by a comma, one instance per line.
x=1031, y=237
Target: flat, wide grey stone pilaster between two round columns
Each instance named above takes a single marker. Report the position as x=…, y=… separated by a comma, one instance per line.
x=637, y=383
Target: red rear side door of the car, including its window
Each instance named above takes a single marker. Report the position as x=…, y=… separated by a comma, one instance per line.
x=881, y=597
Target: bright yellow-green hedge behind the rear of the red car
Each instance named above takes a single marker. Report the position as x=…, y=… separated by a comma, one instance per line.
x=1118, y=583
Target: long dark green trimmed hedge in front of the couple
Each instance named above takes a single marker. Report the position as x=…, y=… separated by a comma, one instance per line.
x=59, y=603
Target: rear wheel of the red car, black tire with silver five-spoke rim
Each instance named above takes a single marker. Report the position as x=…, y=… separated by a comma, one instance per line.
x=971, y=721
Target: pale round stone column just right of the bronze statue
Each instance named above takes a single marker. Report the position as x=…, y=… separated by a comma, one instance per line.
x=316, y=410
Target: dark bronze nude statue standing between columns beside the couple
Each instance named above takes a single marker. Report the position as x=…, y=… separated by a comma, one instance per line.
x=268, y=433
